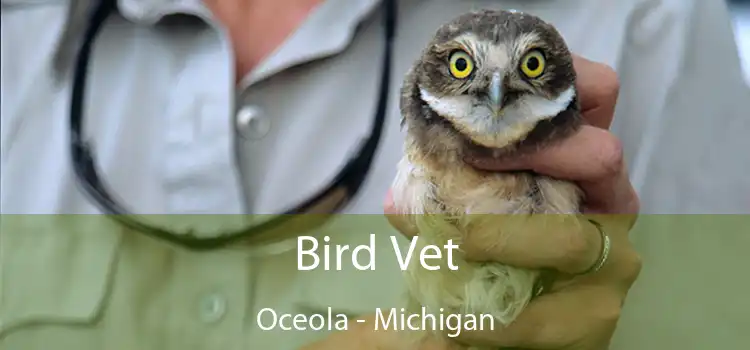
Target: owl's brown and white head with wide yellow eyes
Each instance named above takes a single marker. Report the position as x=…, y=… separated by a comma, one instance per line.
x=495, y=77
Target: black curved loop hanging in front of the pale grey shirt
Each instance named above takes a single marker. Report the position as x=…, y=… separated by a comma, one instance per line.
x=291, y=223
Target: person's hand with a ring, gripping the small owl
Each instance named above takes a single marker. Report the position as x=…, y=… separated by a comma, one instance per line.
x=579, y=312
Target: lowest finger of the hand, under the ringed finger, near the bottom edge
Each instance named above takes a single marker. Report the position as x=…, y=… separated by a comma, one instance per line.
x=556, y=321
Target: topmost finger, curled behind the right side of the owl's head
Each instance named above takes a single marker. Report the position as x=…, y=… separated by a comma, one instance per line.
x=598, y=87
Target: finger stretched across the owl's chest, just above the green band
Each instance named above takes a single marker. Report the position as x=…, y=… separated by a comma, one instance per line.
x=592, y=157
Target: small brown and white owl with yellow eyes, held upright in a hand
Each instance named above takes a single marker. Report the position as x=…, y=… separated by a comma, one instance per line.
x=490, y=83
